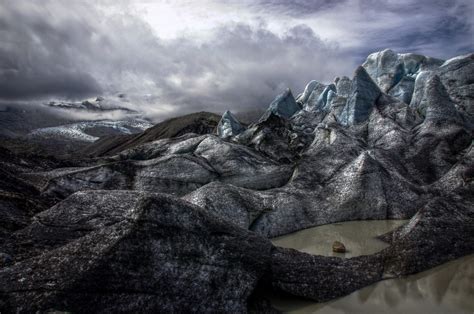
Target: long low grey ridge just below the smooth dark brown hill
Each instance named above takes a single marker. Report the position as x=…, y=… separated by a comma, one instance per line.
x=159, y=168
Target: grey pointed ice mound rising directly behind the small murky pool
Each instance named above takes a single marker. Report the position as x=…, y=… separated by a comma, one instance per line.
x=336, y=180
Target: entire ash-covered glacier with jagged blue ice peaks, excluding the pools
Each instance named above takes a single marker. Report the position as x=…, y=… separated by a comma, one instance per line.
x=181, y=222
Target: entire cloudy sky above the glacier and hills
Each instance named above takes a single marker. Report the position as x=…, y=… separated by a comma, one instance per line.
x=210, y=55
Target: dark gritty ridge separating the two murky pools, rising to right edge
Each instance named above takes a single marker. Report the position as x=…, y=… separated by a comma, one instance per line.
x=412, y=249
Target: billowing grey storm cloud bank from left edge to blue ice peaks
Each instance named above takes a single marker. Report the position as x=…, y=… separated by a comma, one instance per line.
x=57, y=50
